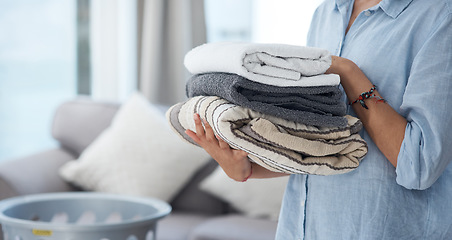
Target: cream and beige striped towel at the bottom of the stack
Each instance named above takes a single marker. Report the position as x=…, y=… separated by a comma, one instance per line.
x=274, y=143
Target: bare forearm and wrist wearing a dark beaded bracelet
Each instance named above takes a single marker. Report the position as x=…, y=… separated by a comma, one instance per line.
x=383, y=124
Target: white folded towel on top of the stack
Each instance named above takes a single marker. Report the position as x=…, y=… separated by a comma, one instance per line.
x=273, y=64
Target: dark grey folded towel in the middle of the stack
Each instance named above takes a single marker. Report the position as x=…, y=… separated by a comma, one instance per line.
x=317, y=106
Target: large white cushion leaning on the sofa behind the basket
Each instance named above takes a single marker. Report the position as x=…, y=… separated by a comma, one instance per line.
x=137, y=155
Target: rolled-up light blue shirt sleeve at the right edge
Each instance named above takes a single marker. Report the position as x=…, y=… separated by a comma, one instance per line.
x=426, y=150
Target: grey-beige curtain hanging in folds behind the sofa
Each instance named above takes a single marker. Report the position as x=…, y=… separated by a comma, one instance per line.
x=170, y=28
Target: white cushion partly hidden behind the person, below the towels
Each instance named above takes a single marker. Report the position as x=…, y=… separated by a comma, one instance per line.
x=254, y=198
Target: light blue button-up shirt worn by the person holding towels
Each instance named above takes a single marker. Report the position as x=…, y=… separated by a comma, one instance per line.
x=405, y=48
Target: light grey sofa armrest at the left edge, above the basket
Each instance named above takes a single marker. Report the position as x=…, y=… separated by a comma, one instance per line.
x=34, y=174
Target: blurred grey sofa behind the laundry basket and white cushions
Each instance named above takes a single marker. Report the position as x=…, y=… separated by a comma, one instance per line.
x=196, y=215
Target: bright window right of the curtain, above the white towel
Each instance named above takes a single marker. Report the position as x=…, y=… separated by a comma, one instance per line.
x=268, y=21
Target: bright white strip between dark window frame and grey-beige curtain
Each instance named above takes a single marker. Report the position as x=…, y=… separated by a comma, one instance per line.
x=113, y=45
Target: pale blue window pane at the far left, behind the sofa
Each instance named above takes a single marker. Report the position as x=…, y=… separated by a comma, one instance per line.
x=37, y=71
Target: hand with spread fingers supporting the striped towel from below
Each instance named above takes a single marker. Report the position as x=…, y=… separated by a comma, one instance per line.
x=235, y=163
